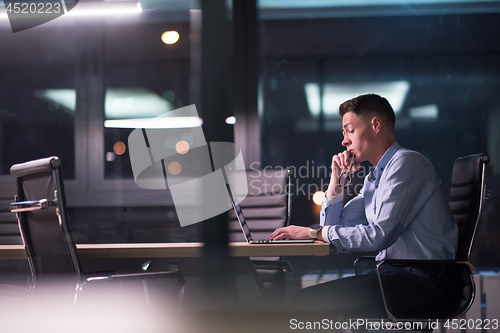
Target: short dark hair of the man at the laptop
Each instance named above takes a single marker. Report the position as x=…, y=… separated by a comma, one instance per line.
x=370, y=105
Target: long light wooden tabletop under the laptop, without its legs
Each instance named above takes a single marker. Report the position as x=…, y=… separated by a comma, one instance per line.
x=179, y=250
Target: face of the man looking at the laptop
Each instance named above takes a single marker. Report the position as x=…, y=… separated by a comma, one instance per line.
x=358, y=136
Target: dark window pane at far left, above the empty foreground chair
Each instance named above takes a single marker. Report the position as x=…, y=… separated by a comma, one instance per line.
x=37, y=97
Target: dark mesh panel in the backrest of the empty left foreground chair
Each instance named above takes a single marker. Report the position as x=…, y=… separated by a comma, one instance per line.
x=47, y=244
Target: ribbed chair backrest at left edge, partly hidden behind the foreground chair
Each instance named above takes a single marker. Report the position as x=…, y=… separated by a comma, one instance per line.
x=9, y=229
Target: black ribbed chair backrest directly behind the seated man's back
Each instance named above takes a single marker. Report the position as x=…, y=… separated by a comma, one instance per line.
x=466, y=198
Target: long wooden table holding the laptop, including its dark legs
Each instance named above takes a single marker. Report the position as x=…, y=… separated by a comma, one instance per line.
x=249, y=286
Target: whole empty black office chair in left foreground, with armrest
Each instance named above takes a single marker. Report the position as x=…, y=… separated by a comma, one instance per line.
x=52, y=255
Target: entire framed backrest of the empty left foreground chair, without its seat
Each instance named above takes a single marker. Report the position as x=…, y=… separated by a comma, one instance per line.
x=41, y=209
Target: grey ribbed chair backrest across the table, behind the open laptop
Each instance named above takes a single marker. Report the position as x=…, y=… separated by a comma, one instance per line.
x=267, y=205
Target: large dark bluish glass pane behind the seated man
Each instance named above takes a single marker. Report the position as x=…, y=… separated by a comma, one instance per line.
x=437, y=62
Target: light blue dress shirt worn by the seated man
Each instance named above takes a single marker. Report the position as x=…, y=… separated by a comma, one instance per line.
x=401, y=211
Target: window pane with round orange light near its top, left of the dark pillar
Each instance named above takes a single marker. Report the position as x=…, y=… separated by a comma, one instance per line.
x=144, y=78
